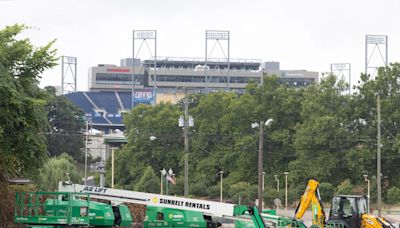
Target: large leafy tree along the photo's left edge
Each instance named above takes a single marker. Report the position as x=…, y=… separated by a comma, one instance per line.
x=22, y=113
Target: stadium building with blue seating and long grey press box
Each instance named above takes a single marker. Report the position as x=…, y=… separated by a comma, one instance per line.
x=110, y=86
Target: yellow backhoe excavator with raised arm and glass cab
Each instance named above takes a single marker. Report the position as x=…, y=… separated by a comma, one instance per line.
x=347, y=211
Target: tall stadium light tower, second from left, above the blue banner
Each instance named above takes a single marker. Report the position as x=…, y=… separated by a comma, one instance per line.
x=143, y=36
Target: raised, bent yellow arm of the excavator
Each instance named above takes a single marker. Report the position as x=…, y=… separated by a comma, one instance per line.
x=311, y=197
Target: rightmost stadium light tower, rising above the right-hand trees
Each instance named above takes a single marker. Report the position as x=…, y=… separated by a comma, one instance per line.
x=378, y=55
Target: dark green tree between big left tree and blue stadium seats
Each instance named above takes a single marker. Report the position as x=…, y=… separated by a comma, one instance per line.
x=66, y=122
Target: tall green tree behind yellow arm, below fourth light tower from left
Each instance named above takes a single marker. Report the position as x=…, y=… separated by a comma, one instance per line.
x=322, y=137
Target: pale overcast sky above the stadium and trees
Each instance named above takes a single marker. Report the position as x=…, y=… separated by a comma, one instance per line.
x=308, y=34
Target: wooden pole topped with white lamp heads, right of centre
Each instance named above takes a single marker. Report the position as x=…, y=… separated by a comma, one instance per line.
x=260, y=159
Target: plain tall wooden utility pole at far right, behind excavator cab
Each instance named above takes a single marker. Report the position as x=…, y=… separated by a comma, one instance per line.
x=378, y=160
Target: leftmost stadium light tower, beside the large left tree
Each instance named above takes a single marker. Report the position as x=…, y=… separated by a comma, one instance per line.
x=68, y=74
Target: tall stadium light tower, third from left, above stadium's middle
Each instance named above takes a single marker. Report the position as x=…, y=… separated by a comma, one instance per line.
x=217, y=36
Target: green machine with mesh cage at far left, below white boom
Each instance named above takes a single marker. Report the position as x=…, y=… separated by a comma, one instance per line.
x=60, y=209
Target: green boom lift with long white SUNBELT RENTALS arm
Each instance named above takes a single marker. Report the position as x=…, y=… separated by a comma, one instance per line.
x=169, y=211
